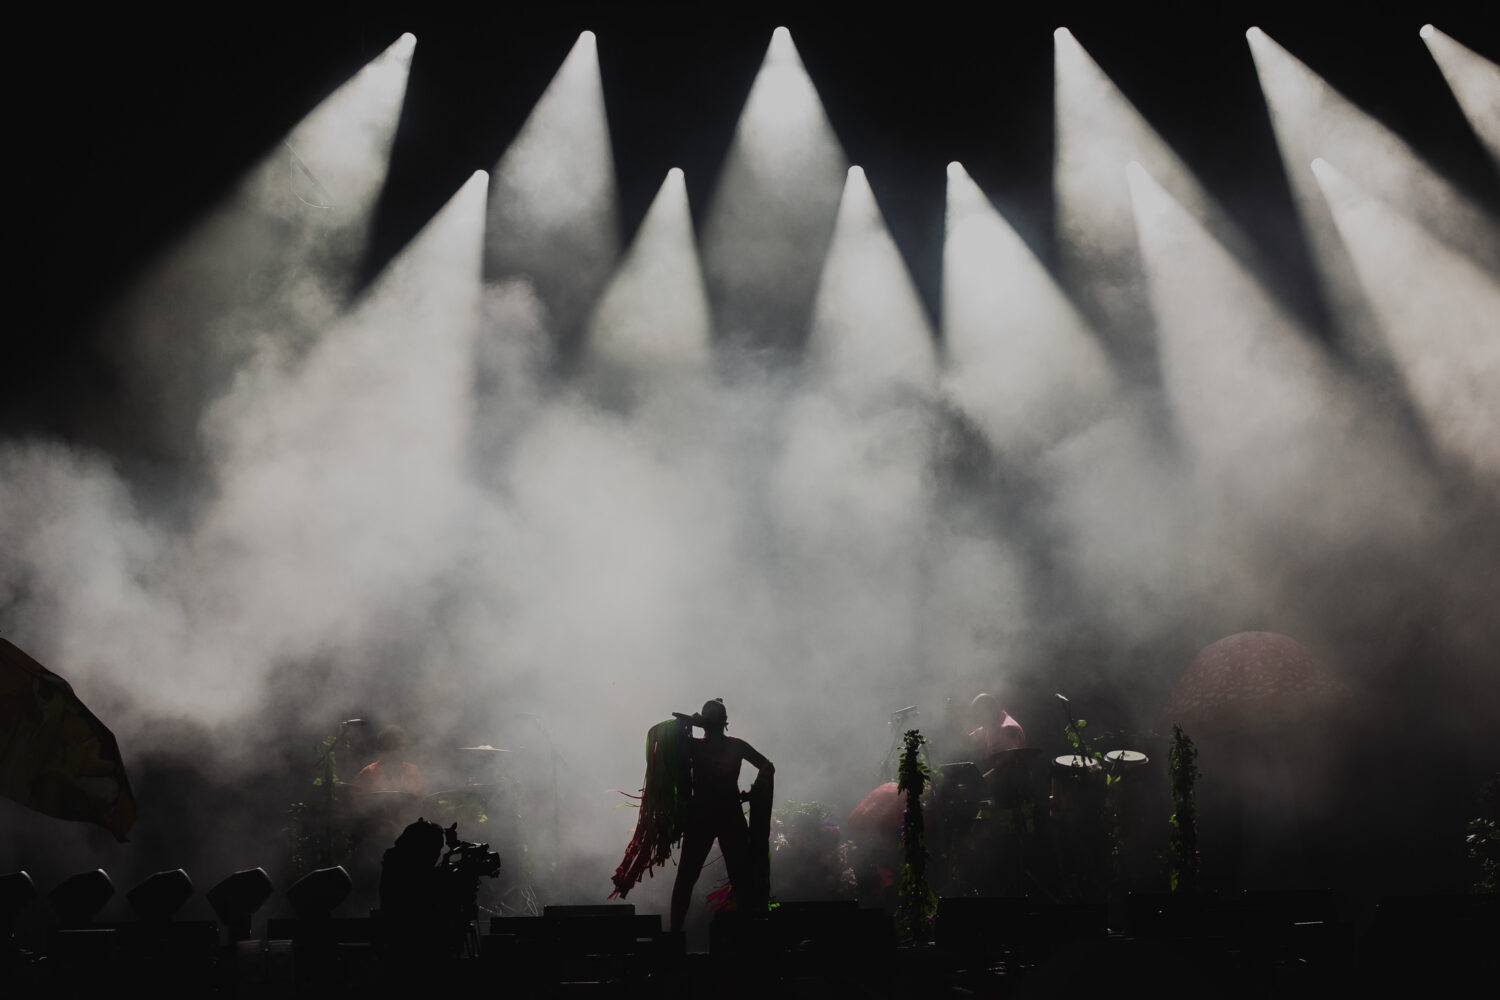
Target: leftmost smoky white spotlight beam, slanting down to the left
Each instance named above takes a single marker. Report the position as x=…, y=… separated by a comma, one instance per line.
x=277, y=256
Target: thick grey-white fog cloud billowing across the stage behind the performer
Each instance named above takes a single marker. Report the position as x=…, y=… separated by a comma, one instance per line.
x=401, y=507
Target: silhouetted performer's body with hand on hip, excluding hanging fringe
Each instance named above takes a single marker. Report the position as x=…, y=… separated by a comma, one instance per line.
x=716, y=812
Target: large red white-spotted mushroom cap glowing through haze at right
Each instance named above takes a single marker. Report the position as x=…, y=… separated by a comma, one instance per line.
x=1253, y=680
